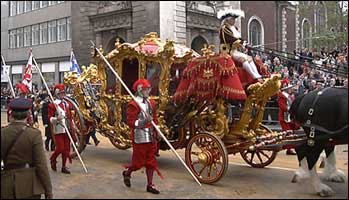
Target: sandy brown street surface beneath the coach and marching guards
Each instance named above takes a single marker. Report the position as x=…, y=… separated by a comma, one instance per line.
x=105, y=165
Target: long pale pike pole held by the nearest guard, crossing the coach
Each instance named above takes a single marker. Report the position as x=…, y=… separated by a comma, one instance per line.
x=152, y=122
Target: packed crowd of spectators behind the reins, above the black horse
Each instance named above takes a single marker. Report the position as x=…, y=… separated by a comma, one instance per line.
x=309, y=69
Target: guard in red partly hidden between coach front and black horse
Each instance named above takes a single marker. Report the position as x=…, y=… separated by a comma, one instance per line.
x=284, y=101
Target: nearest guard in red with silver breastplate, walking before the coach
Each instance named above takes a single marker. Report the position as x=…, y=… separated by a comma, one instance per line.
x=143, y=135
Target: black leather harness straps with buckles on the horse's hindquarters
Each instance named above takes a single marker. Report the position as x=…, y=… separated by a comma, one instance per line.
x=313, y=127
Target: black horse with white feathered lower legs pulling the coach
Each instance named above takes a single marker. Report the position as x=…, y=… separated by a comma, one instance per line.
x=323, y=114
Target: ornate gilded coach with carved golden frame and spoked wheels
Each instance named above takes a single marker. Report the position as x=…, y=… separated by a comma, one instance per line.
x=199, y=125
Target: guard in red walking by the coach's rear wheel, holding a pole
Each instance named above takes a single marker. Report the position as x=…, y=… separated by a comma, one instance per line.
x=57, y=118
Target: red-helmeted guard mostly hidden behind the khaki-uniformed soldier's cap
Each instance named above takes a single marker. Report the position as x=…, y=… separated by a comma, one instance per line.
x=22, y=92
